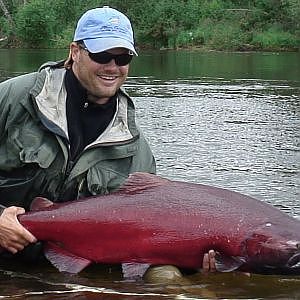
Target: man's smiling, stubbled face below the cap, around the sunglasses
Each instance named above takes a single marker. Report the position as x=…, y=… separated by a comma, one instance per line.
x=101, y=80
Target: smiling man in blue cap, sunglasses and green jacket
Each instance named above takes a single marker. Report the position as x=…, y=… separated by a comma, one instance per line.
x=68, y=130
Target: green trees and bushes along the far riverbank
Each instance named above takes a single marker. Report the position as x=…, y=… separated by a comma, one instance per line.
x=207, y=24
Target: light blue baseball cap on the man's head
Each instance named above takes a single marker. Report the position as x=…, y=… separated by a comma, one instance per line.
x=104, y=28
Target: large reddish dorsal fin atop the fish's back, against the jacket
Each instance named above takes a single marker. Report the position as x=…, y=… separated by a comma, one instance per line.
x=140, y=181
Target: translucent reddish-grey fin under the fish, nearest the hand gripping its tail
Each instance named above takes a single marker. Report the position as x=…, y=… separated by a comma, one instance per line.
x=63, y=260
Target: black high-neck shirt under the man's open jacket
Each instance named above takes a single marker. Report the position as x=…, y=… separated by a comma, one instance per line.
x=86, y=120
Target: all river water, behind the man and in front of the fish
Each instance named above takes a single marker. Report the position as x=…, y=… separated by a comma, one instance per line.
x=230, y=120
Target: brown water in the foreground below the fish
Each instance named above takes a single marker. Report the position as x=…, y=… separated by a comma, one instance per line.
x=43, y=282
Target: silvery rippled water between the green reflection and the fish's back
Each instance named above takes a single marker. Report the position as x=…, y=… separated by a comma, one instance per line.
x=237, y=134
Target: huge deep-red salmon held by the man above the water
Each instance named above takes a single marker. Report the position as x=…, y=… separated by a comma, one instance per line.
x=152, y=221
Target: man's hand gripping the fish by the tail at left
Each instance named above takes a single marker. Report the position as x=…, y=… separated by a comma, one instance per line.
x=13, y=236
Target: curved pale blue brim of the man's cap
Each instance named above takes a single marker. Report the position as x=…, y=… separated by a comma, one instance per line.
x=104, y=44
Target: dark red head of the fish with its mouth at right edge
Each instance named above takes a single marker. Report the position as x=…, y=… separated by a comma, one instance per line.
x=274, y=254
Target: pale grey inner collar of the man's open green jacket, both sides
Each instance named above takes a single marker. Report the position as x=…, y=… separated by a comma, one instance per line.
x=50, y=96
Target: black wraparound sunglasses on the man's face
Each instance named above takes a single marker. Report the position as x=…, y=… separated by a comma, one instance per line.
x=105, y=57
